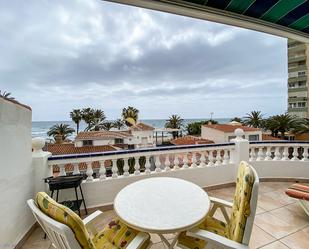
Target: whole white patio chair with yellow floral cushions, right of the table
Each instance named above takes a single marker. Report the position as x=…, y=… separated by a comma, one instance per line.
x=235, y=232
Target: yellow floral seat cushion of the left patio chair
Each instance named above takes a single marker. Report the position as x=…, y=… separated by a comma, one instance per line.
x=116, y=235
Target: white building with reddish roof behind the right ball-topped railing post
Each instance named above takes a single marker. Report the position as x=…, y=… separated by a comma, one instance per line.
x=222, y=133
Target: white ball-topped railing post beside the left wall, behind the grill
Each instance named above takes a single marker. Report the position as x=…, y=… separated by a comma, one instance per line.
x=40, y=164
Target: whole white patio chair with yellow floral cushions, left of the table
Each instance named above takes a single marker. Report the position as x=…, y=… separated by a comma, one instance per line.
x=67, y=230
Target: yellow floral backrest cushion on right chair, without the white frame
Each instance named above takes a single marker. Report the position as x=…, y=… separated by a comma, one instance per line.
x=241, y=203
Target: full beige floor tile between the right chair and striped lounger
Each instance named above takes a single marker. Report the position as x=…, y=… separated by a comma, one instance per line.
x=277, y=227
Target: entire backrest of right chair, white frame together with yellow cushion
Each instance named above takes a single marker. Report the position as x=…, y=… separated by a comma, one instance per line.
x=244, y=204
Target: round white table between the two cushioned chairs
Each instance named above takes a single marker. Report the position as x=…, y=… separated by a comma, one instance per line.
x=162, y=205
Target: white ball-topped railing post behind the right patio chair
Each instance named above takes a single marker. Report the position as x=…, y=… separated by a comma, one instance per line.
x=241, y=152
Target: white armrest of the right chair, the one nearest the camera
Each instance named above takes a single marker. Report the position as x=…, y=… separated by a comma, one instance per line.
x=216, y=239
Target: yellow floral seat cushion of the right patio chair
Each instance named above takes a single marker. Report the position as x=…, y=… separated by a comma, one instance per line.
x=210, y=224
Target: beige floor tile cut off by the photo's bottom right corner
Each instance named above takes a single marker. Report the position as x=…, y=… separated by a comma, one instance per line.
x=298, y=240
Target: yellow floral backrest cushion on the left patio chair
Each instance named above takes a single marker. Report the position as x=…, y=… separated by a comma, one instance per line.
x=66, y=216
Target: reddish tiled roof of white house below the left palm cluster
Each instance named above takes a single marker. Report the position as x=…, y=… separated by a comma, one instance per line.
x=85, y=135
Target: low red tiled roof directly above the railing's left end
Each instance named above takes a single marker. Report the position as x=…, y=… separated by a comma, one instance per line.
x=69, y=148
